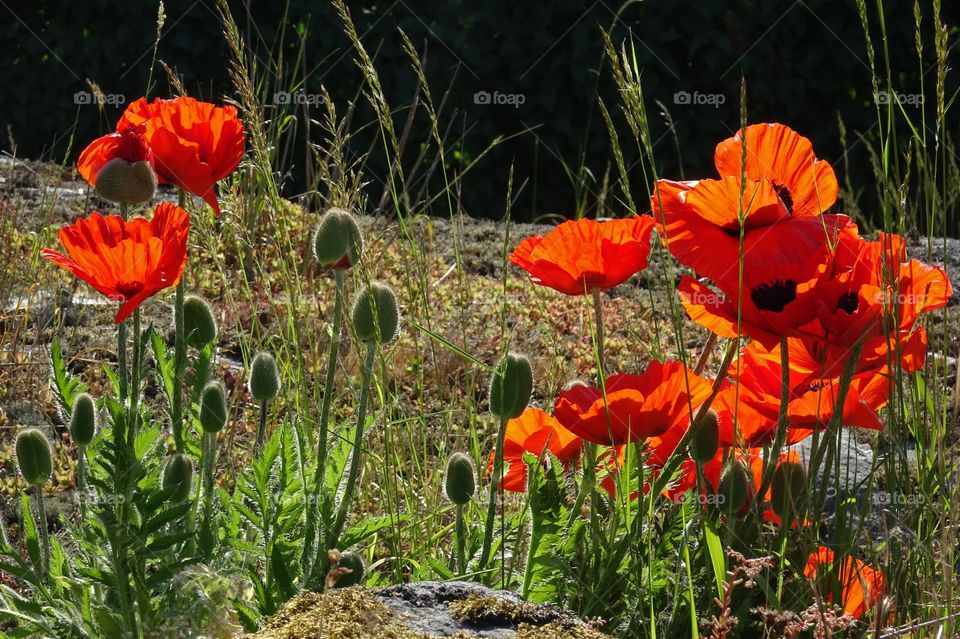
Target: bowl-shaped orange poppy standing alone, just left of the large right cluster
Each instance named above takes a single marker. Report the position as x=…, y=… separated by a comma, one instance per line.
x=581, y=256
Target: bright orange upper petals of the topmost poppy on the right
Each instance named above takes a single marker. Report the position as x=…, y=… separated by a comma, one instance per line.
x=806, y=186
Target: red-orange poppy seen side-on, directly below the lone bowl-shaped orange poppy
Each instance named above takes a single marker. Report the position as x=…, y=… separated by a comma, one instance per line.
x=636, y=407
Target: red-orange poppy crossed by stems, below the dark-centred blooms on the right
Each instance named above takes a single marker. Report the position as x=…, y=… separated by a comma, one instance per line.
x=756, y=399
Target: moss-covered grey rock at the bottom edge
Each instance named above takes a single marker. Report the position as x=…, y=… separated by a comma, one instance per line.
x=422, y=611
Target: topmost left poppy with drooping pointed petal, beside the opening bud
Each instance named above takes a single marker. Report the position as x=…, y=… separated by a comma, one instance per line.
x=195, y=144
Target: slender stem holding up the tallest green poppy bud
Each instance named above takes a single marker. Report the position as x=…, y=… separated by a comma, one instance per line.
x=308, y=559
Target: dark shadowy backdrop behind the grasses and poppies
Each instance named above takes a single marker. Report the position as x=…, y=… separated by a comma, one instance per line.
x=804, y=62
